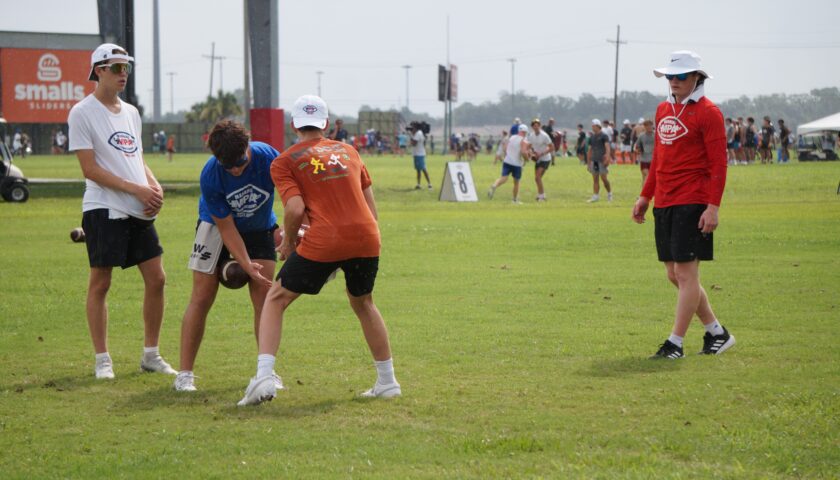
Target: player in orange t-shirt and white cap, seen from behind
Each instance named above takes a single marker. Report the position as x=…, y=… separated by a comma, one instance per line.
x=326, y=181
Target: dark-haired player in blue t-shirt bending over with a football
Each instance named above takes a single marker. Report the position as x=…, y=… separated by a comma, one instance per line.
x=235, y=219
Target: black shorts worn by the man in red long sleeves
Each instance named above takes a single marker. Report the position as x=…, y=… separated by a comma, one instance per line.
x=678, y=239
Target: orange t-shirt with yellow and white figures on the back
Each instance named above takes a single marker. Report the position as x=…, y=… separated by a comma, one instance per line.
x=330, y=177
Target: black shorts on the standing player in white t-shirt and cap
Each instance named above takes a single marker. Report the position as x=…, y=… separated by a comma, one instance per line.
x=119, y=243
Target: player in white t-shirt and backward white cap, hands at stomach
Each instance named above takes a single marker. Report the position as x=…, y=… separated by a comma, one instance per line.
x=122, y=198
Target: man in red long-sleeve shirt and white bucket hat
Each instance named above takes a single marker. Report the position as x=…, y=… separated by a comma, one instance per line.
x=687, y=176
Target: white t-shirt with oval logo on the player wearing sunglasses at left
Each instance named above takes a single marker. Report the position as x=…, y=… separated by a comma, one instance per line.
x=117, y=147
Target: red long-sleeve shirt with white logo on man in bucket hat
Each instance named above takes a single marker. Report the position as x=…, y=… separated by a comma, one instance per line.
x=689, y=155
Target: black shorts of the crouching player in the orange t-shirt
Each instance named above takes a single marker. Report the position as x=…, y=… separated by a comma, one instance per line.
x=301, y=275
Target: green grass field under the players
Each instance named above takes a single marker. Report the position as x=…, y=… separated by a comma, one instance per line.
x=520, y=336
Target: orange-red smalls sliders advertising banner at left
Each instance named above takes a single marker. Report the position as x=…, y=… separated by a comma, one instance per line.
x=40, y=86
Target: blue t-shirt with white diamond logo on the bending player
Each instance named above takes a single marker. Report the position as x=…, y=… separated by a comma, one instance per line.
x=248, y=197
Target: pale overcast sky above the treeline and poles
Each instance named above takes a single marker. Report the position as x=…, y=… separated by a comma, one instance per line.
x=751, y=48
